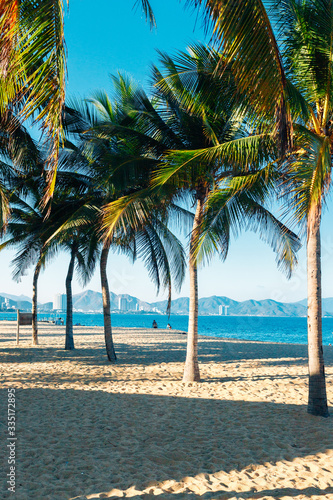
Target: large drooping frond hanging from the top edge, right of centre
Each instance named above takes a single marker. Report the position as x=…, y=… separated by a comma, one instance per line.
x=243, y=33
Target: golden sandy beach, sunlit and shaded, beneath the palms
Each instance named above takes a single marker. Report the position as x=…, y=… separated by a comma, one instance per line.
x=87, y=429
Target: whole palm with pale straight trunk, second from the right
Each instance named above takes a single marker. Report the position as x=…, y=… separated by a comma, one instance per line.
x=222, y=149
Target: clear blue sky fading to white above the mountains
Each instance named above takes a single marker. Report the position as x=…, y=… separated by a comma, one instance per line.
x=106, y=36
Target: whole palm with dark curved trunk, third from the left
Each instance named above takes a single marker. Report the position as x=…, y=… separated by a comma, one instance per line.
x=100, y=155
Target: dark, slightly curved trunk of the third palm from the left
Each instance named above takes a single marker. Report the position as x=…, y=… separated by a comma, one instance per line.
x=110, y=351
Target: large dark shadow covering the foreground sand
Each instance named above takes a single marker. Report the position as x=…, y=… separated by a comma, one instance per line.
x=79, y=442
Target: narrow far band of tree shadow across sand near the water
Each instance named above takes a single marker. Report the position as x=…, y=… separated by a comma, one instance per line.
x=172, y=350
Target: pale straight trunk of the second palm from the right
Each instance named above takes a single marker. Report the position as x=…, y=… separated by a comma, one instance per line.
x=191, y=369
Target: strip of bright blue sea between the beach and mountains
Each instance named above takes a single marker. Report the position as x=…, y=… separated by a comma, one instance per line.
x=286, y=330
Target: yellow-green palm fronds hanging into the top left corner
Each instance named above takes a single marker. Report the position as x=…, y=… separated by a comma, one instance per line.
x=33, y=67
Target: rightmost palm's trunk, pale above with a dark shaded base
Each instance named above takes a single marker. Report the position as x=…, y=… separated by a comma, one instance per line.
x=317, y=403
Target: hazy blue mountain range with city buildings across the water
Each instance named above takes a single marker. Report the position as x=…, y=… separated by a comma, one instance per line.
x=90, y=301
